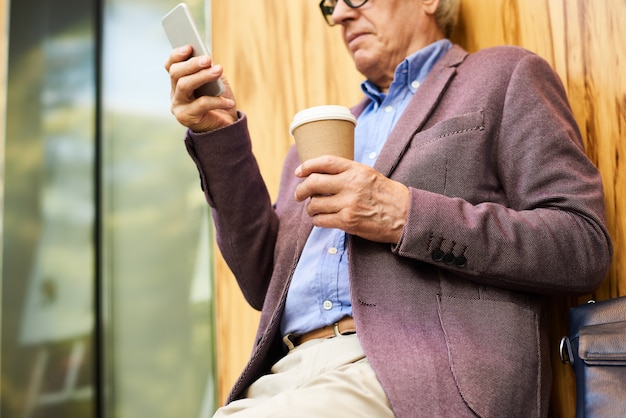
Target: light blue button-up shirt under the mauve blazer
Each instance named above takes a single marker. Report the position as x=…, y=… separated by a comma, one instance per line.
x=319, y=293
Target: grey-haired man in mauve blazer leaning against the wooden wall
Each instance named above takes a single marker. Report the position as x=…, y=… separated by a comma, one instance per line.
x=410, y=281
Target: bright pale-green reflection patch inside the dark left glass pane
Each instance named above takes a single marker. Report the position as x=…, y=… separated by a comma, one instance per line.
x=58, y=300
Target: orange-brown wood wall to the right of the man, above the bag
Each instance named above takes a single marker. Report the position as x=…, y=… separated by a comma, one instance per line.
x=585, y=42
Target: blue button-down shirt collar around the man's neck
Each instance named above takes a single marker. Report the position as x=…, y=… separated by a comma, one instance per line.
x=411, y=72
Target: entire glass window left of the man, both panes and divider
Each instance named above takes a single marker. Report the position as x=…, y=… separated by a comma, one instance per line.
x=107, y=304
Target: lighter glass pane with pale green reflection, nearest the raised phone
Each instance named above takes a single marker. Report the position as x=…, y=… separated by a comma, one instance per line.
x=157, y=261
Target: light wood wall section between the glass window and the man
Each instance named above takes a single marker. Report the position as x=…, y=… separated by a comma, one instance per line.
x=279, y=58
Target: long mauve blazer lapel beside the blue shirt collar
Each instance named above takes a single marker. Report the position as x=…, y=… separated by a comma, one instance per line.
x=418, y=110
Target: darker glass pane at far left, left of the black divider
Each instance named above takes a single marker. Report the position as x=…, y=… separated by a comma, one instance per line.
x=47, y=272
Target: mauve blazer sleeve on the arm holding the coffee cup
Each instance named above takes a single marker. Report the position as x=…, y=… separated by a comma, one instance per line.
x=543, y=228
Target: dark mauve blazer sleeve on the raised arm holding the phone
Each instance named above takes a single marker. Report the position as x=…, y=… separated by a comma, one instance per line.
x=246, y=224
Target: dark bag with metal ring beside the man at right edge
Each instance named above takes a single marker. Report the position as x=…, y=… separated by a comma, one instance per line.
x=596, y=348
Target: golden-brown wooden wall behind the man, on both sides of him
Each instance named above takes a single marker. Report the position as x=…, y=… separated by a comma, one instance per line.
x=281, y=57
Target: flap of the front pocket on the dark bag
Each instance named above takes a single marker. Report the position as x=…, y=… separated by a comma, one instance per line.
x=603, y=344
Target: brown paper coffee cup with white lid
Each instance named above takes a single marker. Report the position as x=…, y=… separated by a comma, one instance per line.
x=324, y=130
